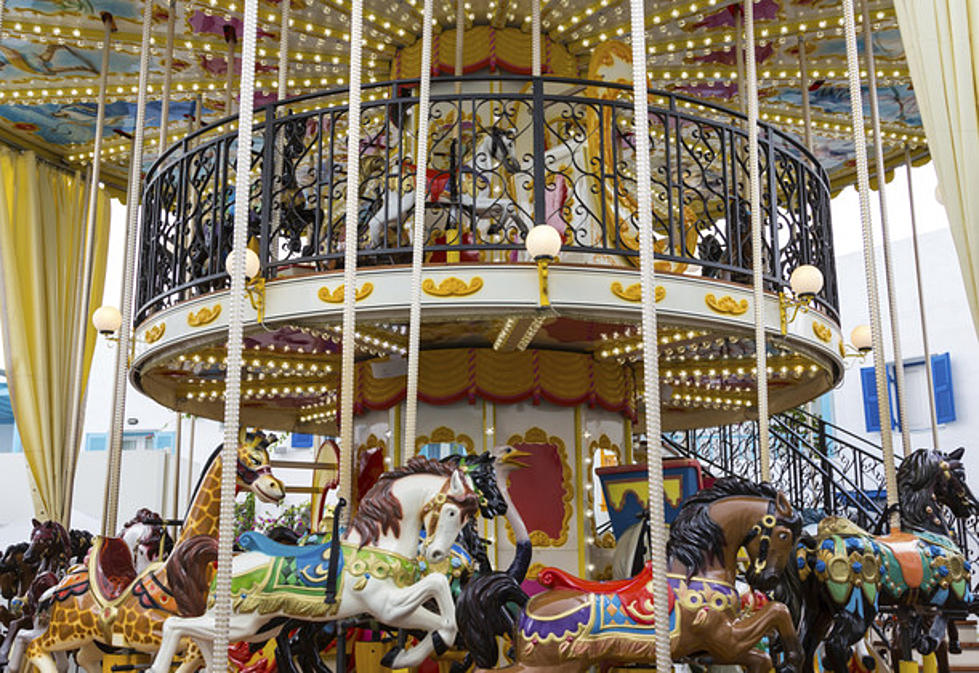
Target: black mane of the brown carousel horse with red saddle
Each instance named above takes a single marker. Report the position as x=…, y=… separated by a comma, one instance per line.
x=695, y=538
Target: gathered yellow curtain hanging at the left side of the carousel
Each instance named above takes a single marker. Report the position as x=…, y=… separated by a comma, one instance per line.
x=42, y=239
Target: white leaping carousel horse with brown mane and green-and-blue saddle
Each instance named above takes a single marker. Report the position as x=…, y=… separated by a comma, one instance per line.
x=381, y=573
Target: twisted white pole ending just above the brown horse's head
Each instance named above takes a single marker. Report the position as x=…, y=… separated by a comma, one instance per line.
x=757, y=270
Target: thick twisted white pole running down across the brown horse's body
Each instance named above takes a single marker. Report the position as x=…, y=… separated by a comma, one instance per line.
x=651, y=394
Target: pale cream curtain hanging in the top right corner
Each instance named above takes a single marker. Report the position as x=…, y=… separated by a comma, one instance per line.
x=941, y=39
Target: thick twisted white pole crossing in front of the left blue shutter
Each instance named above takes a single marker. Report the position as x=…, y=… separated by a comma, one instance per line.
x=870, y=267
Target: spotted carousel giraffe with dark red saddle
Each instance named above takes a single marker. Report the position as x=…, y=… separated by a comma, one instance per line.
x=107, y=602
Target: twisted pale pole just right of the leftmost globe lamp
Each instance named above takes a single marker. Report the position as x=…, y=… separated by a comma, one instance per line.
x=111, y=508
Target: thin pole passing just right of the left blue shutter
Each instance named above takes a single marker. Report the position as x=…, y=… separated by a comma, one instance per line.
x=890, y=288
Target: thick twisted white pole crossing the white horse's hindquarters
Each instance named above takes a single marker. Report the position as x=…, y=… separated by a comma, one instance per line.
x=236, y=299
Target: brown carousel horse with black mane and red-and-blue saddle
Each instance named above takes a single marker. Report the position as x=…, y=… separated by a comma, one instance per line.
x=577, y=624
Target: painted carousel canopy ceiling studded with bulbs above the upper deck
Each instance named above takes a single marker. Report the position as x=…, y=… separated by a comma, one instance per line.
x=50, y=54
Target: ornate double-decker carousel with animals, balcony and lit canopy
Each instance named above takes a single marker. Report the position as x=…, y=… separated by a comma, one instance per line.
x=517, y=267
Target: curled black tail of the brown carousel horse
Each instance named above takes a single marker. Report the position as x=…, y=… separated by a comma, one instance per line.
x=482, y=614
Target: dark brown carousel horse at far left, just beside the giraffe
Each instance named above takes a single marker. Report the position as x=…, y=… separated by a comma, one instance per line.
x=48, y=551
